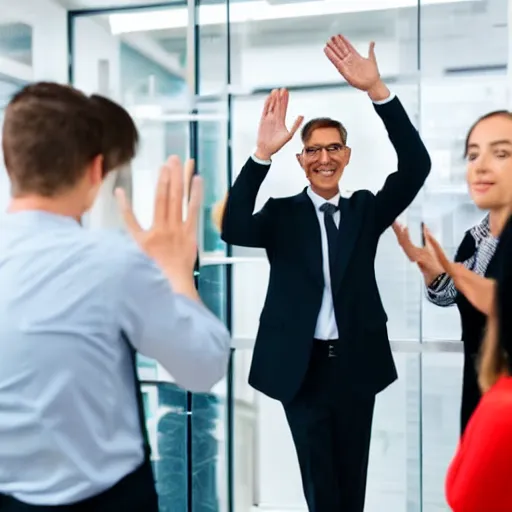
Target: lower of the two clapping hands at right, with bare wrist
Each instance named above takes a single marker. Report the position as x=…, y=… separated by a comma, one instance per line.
x=477, y=289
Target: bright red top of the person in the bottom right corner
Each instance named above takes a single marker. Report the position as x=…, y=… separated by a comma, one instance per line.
x=479, y=476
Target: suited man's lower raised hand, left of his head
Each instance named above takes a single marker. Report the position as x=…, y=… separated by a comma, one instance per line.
x=272, y=132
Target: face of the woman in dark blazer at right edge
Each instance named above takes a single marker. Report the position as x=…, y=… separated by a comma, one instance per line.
x=489, y=163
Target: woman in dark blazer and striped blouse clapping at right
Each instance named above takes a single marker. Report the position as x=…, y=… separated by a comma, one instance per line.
x=488, y=152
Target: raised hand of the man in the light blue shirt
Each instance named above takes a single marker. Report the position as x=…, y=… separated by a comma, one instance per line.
x=171, y=241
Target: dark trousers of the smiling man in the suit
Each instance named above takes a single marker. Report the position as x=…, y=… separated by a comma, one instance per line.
x=331, y=428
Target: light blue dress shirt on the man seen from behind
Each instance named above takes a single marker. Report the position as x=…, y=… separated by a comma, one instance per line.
x=69, y=427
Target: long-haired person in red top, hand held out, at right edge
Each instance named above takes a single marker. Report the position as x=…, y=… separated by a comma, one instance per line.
x=479, y=478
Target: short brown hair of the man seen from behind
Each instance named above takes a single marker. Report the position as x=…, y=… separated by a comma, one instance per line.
x=51, y=133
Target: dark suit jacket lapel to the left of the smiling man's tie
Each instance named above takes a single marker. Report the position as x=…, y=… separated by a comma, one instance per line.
x=311, y=240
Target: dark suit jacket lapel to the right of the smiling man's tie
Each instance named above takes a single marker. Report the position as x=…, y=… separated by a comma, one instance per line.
x=350, y=224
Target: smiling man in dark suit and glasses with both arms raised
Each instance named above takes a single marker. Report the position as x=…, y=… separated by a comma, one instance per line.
x=322, y=348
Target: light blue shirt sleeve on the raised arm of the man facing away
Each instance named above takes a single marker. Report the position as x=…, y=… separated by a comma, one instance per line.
x=181, y=334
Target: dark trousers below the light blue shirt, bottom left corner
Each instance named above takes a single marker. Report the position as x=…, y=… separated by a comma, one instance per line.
x=134, y=493
